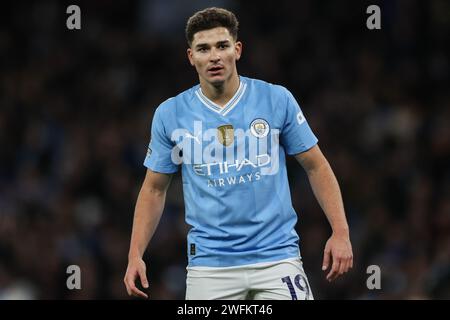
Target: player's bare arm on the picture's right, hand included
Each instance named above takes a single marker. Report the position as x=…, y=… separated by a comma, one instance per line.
x=338, y=249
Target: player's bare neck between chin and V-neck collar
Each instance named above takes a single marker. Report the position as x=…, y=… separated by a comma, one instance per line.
x=221, y=94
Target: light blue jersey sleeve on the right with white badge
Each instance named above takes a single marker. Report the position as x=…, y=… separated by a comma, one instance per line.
x=296, y=135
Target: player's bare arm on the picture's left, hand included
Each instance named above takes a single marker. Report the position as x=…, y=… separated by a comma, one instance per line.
x=148, y=211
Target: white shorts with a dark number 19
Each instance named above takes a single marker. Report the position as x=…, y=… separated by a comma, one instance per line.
x=279, y=280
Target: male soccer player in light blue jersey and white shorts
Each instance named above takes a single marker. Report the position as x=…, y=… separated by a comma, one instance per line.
x=230, y=135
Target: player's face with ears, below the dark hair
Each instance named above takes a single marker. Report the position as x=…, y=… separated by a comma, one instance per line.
x=214, y=53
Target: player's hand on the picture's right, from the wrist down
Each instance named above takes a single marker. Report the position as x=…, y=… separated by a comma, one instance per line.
x=338, y=251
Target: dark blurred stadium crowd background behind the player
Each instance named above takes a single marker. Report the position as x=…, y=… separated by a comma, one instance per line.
x=76, y=108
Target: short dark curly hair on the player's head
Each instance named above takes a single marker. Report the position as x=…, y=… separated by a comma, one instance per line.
x=210, y=18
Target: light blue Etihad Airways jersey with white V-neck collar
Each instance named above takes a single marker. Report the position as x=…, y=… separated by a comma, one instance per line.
x=233, y=161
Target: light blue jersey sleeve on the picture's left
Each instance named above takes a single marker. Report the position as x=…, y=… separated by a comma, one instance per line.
x=159, y=153
